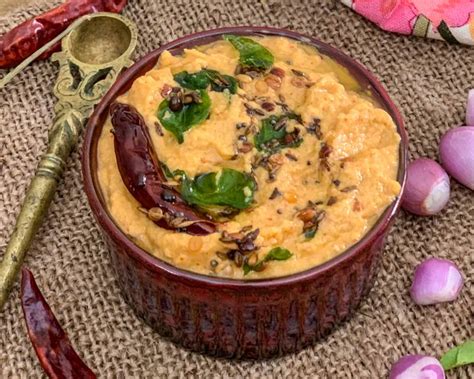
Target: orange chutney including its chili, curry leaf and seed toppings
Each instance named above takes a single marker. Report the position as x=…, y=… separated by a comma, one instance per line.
x=266, y=159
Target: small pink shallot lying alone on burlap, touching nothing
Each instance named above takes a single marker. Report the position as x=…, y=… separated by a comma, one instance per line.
x=436, y=281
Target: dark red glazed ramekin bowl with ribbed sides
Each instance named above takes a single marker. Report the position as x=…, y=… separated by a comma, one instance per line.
x=236, y=318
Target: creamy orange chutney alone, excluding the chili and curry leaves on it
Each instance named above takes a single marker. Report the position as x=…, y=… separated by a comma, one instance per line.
x=316, y=200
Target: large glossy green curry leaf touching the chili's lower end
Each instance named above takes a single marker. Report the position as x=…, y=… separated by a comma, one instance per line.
x=228, y=187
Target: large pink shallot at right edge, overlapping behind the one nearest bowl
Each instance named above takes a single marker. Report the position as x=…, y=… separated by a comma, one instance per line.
x=457, y=154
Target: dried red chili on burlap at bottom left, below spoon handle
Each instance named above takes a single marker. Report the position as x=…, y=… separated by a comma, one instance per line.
x=51, y=344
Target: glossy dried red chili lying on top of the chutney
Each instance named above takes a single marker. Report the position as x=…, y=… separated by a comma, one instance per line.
x=142, y=174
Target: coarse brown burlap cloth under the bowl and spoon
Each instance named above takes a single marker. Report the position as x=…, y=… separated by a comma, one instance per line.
x=427, y=79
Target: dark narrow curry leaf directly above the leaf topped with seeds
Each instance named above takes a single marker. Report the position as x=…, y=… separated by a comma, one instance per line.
x=202, y=79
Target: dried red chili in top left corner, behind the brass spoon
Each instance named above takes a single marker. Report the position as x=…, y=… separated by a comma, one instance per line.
x=23, y=40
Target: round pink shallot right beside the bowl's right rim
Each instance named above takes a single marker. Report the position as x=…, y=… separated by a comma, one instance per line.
x=427, y=188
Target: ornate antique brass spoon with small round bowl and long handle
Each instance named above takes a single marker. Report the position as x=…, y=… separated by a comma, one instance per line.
x=95, y=49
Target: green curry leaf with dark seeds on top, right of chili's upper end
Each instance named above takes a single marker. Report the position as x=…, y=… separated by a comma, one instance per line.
x=184, y=119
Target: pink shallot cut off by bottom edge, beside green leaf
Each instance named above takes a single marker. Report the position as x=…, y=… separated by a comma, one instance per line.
x=417, y=367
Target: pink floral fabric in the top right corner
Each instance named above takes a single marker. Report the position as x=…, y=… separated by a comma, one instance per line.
x=449, y=20
